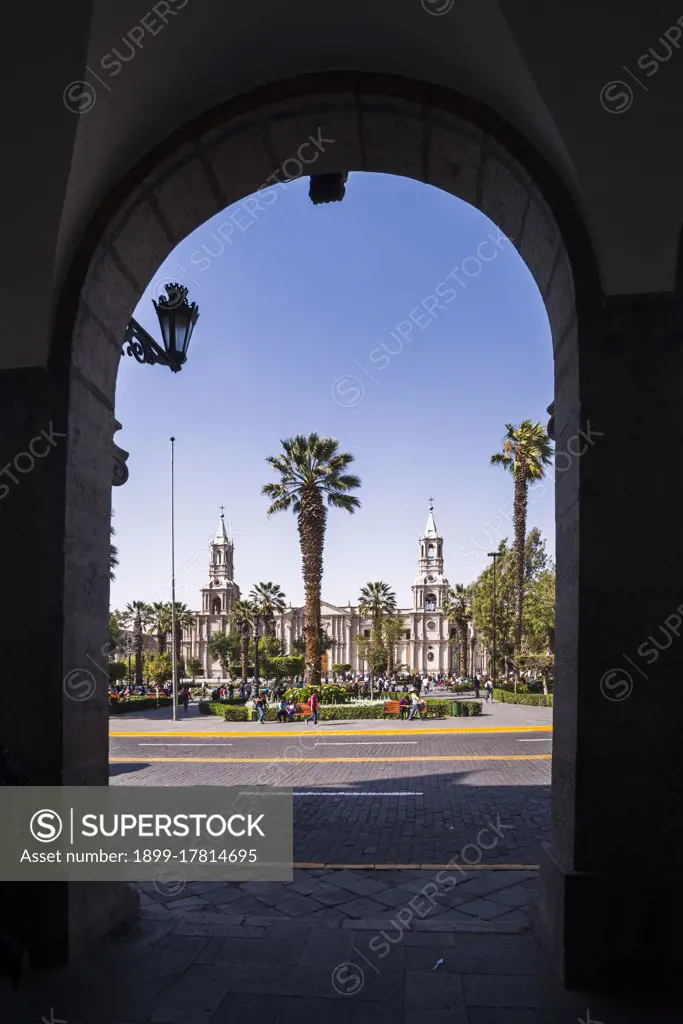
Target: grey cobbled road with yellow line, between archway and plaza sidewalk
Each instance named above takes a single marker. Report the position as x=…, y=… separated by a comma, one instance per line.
x=397, y=809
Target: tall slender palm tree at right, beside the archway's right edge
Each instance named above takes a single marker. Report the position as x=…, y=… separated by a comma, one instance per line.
x=527, y=451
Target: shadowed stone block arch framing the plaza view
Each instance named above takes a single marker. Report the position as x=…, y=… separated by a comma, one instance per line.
x=374, y=123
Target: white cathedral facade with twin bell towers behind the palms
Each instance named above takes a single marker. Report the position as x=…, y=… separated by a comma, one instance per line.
x=428, y=646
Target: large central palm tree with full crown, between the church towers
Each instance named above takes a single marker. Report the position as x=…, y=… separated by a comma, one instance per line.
x=312, y=468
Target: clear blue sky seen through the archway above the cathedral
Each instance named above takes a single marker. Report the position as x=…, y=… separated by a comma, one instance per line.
x=294, y=314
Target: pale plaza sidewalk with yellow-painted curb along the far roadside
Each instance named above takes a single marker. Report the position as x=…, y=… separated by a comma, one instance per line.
x=497, y=716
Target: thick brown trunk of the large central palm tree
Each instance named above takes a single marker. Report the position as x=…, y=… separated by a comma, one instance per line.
x=313, y=521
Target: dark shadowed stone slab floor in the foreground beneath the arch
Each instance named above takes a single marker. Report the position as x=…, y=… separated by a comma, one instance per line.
x=151, y=973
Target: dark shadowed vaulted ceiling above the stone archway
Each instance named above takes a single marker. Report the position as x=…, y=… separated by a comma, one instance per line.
x=540, y=66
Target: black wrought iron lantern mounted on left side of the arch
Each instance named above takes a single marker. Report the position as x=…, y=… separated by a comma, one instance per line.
x=178, y=318
